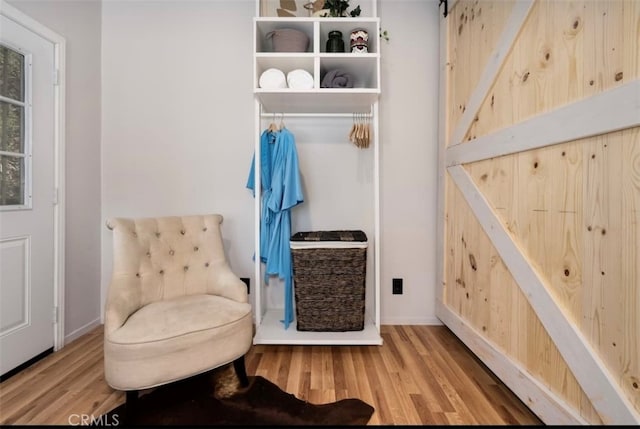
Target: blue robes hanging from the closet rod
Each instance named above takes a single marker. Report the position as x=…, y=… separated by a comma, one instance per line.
x=281, y=191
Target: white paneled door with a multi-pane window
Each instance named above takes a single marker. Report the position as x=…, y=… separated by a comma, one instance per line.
x=27, y=167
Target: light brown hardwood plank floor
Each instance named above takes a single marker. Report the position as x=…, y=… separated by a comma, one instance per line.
x=421, y=375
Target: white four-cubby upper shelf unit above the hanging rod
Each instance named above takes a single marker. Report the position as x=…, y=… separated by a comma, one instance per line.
x=363, y=69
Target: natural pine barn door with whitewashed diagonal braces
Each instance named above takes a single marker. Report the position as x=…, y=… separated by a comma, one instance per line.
x=539, y=219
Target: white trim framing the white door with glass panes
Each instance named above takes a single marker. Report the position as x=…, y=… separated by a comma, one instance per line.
x=58, y=196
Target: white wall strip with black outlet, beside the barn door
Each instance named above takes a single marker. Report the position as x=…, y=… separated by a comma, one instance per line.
x=409, y=154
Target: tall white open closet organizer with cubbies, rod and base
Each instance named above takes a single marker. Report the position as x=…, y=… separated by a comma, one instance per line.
x=318, y=102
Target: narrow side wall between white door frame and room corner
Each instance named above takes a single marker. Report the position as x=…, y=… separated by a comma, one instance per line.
x=79, y=23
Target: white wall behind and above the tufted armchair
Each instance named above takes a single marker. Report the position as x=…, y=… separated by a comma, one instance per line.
x=178, y=115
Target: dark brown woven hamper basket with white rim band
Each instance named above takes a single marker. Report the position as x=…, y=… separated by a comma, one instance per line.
x=329, y=273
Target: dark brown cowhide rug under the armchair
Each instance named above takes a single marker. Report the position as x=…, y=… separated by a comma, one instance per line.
x=215, y=398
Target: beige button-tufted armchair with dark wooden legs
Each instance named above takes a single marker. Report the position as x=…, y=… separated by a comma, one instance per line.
x=174, y=307
